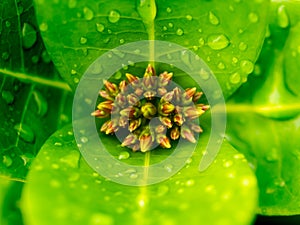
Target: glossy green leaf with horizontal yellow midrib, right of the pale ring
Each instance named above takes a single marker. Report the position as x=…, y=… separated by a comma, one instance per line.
x=264, y=115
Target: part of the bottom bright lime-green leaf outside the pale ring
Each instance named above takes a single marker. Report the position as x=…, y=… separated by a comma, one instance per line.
x=63, y=189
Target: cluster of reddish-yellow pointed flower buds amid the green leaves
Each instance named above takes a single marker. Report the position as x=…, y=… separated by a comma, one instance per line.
x=133, y=105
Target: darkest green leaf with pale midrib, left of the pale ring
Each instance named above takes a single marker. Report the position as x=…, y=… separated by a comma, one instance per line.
x=34, y=101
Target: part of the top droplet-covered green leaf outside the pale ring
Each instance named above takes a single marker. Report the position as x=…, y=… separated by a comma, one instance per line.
x=228, y=35
